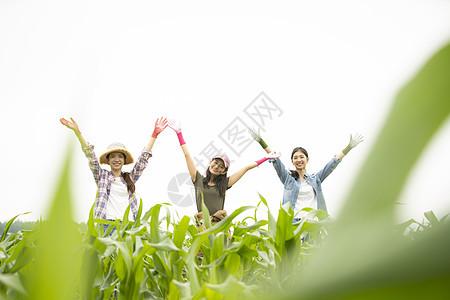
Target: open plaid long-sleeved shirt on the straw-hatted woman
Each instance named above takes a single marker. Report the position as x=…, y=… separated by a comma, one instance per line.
x=103, y=179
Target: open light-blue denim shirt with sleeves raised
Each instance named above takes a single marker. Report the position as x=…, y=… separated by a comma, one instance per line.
x=292, y=186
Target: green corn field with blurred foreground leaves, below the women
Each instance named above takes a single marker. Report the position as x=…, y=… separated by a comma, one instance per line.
x=361, y=255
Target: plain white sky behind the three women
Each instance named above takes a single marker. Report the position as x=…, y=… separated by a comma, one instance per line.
x=332, y=67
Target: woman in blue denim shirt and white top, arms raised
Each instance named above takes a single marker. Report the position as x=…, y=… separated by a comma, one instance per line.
x=302, y=189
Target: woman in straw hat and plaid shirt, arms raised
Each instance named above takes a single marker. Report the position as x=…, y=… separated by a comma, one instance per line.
x=116, y=189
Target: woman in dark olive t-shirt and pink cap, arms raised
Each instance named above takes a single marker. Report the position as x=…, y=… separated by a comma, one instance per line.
x=212, y=187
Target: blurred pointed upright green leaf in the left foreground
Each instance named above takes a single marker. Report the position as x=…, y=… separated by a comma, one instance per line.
x=53, y=275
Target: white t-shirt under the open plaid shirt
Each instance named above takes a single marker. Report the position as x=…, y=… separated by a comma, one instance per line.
x=118, y=200
